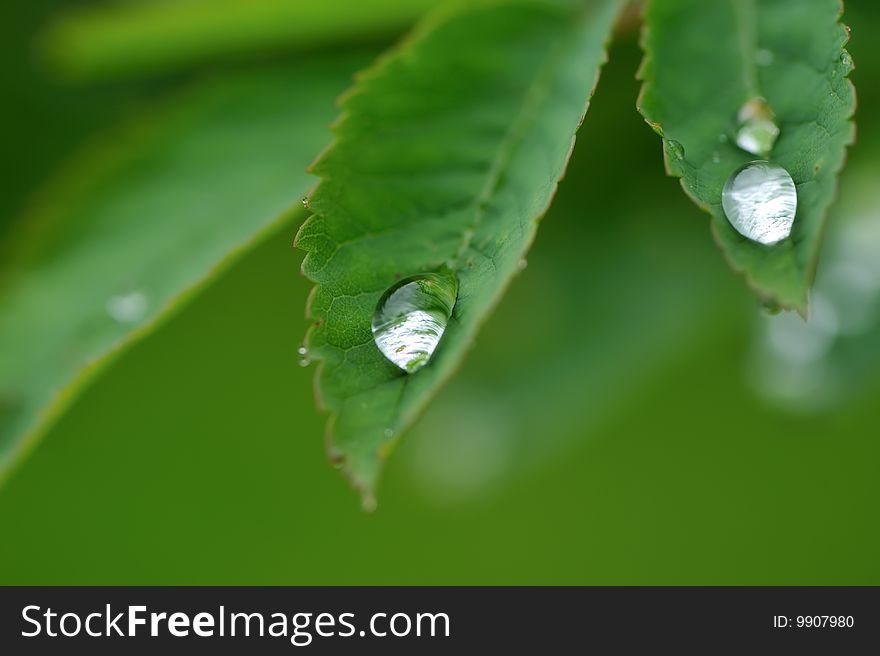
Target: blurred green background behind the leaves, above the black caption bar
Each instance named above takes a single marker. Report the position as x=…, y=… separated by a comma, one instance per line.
x=626, y=417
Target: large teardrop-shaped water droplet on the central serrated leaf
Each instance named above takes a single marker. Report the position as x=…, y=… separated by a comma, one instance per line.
x=411, y=316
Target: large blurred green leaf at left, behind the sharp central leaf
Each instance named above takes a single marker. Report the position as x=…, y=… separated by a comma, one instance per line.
x=140, y=221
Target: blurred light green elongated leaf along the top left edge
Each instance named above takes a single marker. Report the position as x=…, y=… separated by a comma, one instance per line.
x=131, y=38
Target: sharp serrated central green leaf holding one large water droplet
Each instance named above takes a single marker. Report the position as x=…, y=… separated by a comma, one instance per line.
x=448, y=152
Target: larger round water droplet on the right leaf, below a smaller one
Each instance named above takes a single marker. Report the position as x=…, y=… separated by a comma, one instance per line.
x=760, y=201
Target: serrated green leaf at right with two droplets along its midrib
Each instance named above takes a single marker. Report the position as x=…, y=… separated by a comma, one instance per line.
x=703, y=61
